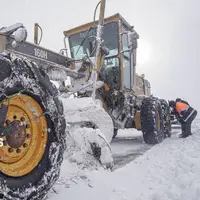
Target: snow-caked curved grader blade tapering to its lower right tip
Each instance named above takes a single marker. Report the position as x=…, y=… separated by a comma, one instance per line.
x=82, y=114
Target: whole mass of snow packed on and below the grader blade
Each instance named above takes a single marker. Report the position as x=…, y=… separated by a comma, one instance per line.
x=82, y=138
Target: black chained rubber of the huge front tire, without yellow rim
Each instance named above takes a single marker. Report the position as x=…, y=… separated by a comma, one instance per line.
x=25, y=77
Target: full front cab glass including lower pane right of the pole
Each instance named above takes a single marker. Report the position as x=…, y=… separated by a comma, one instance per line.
x=110, y=71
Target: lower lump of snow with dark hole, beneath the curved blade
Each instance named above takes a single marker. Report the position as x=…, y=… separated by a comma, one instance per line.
x=79, y=149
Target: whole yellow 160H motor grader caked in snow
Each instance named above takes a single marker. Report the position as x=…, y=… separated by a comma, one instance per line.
x=32, y=117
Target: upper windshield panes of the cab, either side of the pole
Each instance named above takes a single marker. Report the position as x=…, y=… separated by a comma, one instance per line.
x=110, y=38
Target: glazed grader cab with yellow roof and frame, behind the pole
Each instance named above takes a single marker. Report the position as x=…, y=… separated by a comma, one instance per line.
x=118, y=69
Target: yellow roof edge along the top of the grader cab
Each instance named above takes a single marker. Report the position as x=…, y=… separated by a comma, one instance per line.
x=84, y=27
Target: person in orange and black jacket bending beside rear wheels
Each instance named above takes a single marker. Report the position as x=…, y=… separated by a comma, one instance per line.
x=186, y=116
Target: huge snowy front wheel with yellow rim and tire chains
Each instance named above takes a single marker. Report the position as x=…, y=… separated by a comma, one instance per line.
x=30, y=167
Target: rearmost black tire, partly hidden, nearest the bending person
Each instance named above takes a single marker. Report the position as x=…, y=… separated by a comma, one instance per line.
x=166, y=117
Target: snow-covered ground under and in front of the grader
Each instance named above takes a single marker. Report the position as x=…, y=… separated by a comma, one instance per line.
x=168, y=171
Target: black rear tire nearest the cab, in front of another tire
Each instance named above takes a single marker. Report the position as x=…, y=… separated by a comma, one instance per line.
x=150, y=109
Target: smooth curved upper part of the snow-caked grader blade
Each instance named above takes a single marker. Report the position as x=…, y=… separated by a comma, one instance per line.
x=80, y=110
